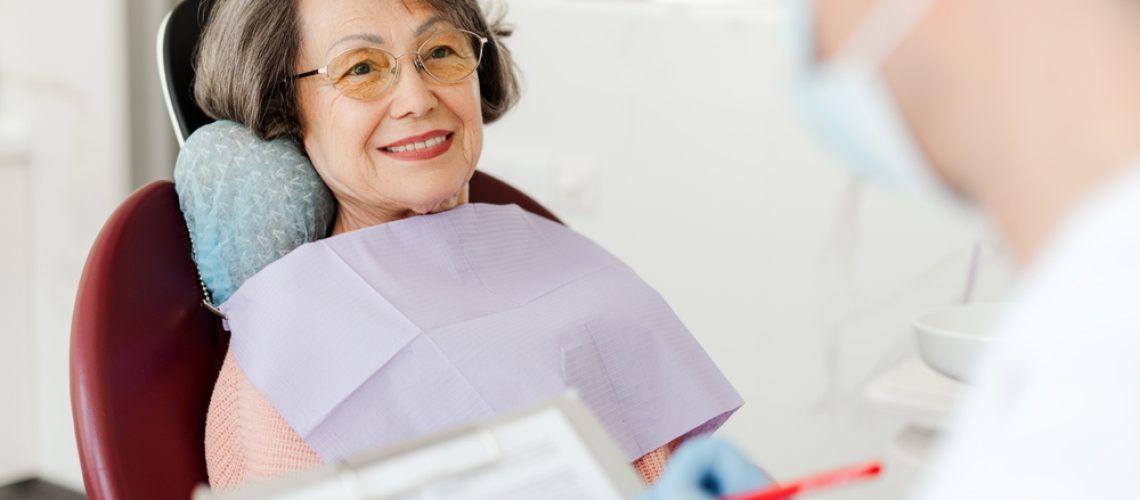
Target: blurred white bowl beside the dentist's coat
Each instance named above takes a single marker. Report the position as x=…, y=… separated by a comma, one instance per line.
x=951, y=339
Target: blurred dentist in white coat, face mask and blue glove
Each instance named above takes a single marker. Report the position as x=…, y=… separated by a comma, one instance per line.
x=1030, y=111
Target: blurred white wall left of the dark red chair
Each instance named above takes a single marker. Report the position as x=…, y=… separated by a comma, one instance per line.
x=62, y=67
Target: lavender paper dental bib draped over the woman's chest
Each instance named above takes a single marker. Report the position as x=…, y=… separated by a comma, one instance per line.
x=392, y=333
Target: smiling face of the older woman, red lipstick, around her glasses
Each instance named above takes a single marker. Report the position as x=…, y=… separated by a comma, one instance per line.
x=413, y=150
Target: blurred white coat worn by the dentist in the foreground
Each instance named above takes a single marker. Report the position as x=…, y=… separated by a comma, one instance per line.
x=1056, y=414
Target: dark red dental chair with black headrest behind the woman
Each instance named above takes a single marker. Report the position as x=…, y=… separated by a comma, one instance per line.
x=145, y=351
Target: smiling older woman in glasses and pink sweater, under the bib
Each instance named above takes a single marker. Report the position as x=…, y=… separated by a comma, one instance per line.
x=388, y=100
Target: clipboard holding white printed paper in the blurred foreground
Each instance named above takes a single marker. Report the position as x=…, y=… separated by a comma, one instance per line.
x=557, y=450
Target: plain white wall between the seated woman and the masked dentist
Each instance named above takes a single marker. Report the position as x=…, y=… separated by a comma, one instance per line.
x=667, y=134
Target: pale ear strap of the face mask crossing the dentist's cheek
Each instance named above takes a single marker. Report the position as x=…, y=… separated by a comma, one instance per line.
x=883, y=30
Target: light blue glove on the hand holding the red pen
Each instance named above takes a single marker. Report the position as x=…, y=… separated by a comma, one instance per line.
x=705, y=470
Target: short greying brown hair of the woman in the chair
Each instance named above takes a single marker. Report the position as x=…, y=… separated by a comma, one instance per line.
x=246, y=62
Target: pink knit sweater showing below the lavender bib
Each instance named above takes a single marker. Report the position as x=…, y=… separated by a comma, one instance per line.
x=248, y=440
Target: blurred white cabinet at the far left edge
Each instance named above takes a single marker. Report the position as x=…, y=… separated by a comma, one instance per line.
x=18, y=356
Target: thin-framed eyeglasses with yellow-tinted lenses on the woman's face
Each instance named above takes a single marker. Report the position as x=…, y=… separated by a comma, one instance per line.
x=367, y=73
